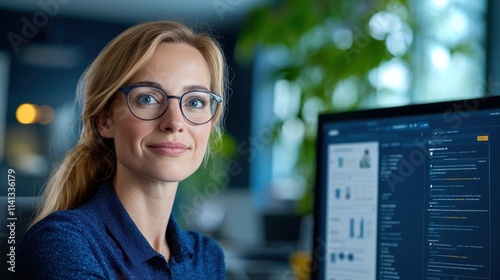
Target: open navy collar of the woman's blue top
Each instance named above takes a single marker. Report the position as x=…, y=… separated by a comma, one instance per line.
x=120, y=225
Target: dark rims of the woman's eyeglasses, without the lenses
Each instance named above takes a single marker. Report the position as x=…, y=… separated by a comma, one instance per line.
x=126, y=90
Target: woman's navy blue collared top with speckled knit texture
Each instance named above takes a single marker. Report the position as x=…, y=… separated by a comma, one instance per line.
x=100, y=241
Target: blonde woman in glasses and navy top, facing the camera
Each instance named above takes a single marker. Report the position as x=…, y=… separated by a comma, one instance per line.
x=152, y=100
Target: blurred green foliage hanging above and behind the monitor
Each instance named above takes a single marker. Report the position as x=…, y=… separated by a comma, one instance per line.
x=326, y=43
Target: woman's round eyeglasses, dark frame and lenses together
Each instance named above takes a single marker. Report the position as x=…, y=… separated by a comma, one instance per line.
x=150, y=102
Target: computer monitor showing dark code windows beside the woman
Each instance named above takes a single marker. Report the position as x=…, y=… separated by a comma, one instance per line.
x=409, y=192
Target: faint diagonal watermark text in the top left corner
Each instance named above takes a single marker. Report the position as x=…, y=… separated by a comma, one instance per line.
x=40, y=19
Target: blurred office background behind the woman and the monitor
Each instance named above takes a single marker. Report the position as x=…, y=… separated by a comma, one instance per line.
x=387, y=53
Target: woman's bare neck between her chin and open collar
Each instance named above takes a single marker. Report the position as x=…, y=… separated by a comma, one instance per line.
x=149, y=204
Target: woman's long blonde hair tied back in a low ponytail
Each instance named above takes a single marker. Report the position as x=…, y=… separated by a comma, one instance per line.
x=93, y=158
